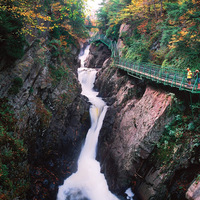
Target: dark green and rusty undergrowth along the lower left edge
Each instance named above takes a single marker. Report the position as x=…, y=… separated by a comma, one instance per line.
x=14, y=181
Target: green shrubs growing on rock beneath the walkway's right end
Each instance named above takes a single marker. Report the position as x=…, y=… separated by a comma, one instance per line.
x=184, y=129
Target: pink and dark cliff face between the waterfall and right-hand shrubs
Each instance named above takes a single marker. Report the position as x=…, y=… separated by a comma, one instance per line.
x=133, y=124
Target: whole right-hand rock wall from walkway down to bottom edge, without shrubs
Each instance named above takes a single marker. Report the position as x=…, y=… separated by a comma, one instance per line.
x=133, y=125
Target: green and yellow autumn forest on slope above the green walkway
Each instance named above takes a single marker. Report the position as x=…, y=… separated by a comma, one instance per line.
x=163, y=32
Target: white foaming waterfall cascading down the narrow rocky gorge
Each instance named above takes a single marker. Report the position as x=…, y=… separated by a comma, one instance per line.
x=88, y=183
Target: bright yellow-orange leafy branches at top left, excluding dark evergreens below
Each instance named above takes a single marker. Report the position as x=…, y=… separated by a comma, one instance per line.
x=33, y=12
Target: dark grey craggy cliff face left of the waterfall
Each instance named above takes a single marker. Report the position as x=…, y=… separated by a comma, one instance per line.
x=51, y=114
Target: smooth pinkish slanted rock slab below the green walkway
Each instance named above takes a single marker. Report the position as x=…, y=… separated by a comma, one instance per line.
x=135, y=131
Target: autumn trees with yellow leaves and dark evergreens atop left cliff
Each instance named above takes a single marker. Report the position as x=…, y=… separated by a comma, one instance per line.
x=24, y=18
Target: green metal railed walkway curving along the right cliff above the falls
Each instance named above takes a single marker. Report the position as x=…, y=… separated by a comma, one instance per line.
x=164, y=75
